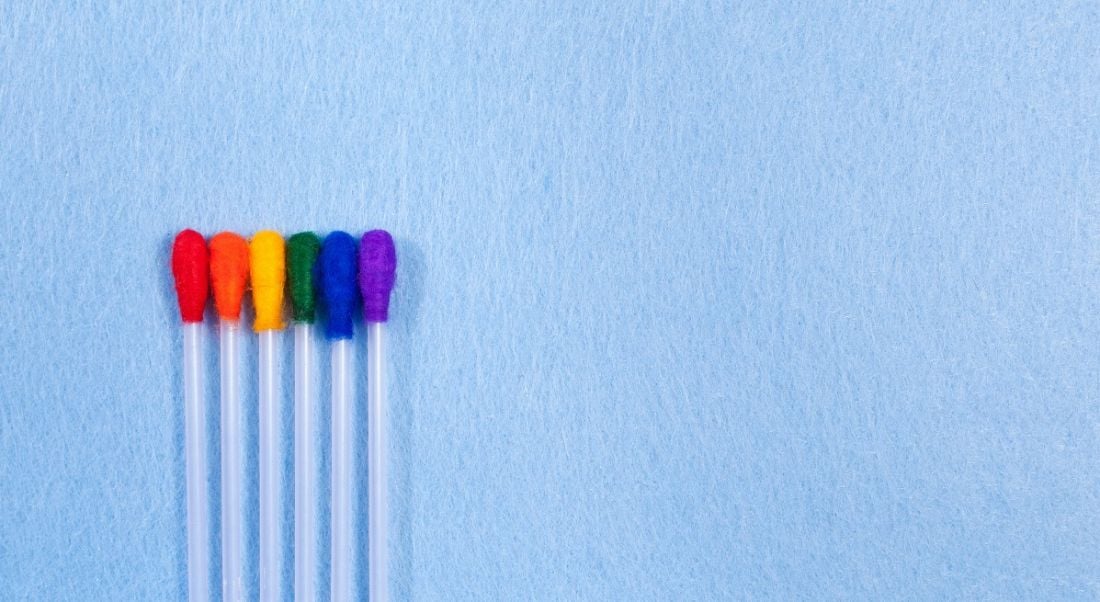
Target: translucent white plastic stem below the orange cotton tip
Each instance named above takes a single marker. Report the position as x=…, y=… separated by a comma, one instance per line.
x=233, y=522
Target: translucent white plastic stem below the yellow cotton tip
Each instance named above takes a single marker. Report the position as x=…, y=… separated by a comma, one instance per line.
x=271, y=483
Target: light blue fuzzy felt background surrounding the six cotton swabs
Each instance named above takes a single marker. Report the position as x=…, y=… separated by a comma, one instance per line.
x=697, y=301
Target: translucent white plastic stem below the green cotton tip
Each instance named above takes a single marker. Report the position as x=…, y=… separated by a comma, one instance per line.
x=305, y=465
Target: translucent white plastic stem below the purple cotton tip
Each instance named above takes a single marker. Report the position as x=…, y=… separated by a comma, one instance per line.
x=379, y=517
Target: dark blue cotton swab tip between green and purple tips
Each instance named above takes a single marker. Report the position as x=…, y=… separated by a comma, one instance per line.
x=337, y=271
